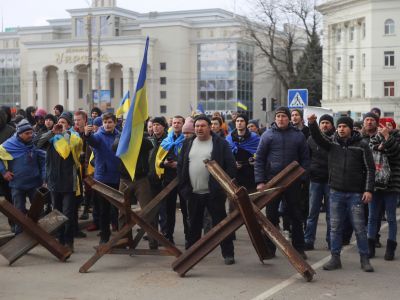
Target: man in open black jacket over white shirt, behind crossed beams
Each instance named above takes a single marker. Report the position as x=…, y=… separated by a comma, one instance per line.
x=198, y=187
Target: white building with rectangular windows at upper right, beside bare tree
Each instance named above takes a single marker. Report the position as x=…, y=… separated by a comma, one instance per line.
x=361, y=56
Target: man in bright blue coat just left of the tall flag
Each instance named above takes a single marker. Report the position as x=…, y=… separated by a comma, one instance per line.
x=106, y=166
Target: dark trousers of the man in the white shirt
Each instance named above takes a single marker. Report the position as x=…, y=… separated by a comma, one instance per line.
x=216, y=207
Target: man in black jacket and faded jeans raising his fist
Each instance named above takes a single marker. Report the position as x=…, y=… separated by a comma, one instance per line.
x=351, y=181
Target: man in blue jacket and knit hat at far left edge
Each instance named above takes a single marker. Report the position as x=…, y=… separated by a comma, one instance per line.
x=22, y=165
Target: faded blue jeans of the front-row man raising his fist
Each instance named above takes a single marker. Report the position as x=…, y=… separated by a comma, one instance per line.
x=341, y=203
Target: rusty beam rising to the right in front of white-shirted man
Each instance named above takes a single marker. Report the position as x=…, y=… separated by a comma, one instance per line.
x=234, y=221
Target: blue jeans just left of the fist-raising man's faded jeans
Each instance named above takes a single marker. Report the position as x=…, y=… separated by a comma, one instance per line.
x=318, y=191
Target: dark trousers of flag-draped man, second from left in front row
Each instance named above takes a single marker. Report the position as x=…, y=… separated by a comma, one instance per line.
x=65, y=203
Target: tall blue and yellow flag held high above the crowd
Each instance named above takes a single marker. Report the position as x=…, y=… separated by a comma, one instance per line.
x=132, y=133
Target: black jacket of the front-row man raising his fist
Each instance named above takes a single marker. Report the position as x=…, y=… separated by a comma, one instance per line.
x=351, y=165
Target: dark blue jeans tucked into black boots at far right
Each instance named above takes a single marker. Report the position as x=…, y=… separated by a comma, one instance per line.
x=389, y=199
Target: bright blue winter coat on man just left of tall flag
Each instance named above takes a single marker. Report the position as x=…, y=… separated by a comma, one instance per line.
x=106, y=162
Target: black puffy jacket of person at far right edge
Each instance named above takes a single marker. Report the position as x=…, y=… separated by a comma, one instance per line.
x=391, y=148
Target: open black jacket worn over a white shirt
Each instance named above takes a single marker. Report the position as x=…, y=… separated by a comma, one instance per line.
x=221, y=153
